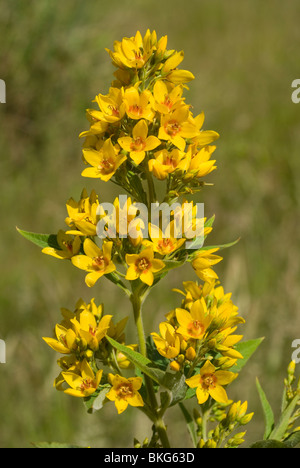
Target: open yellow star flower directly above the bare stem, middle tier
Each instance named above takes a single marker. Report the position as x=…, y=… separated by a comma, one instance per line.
x=143, y=265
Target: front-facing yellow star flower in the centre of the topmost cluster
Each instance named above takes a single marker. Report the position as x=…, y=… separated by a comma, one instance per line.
x=140, y=142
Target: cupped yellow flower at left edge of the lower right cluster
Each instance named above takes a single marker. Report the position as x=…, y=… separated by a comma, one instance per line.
x=168, y=342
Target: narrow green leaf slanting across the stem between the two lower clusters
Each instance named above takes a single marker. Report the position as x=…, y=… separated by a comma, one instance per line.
x=140, y=361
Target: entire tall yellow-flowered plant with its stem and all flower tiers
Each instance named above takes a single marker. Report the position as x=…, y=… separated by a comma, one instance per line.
x=144, y=137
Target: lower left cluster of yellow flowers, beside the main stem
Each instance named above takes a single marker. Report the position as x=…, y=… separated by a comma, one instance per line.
x=81, y=338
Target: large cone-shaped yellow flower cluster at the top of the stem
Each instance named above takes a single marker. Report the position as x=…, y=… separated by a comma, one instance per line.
x=144, y=123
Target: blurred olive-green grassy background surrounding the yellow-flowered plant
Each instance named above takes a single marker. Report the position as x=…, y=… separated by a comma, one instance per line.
x=244, y=56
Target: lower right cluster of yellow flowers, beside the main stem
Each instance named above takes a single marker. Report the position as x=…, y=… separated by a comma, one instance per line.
x=198, y=338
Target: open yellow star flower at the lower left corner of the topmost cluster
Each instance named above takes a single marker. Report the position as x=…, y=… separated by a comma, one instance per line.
x=104, y=162
